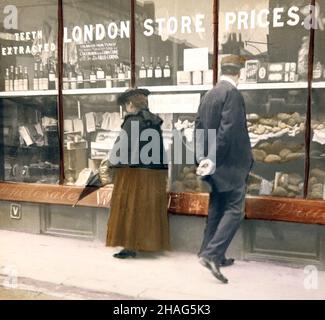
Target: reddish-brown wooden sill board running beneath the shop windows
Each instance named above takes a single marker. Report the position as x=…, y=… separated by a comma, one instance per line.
x=187, y=203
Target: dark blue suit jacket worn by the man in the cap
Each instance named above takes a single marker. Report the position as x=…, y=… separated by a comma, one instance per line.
x=223, y=109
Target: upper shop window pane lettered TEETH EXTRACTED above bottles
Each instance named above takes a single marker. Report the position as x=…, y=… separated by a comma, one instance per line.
x=28, y=46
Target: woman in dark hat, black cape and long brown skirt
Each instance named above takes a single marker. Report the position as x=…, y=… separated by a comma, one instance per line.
x=138, y=217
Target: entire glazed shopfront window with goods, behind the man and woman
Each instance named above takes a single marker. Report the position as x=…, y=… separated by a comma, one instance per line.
x=174, y=58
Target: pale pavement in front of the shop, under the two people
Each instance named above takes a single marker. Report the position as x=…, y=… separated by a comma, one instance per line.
x=40, y=266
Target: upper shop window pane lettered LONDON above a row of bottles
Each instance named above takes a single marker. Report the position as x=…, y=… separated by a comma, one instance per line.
x=96, y=44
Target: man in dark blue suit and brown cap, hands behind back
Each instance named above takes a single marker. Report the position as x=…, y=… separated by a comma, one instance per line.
x=225, y=162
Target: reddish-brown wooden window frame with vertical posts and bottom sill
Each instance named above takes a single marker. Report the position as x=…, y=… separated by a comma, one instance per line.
x=257, y=207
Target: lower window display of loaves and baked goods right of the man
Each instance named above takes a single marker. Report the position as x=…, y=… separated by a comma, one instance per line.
x=276, y=127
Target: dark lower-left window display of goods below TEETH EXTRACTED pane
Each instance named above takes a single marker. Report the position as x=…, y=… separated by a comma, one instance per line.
x=30, y=145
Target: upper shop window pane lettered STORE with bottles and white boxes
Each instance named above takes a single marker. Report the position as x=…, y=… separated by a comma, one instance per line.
x=174, y=42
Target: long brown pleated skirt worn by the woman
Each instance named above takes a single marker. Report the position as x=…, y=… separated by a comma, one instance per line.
x=138, y=216
